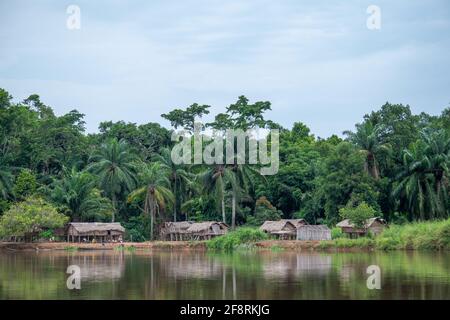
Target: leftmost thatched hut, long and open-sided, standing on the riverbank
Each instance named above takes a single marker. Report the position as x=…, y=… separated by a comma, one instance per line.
x=88, y=231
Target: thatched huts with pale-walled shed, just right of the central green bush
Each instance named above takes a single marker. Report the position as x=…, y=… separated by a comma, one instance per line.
x=296, y=229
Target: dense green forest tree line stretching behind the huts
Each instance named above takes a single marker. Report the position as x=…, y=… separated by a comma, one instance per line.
x=393, y=163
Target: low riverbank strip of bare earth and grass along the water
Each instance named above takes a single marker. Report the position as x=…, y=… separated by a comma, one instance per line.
x=433, y=236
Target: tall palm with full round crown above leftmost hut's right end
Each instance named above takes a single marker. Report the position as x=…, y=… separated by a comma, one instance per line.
x=115, y=166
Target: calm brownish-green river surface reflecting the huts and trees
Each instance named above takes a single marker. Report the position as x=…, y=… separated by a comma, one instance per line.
x=200, y=275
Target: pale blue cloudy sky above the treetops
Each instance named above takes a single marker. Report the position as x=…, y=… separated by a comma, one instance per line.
x=316, y=61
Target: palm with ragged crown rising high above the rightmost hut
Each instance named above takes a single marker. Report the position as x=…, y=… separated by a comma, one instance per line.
x=367, y=138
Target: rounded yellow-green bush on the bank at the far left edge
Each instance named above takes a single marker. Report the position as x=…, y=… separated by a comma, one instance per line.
x=33, y=215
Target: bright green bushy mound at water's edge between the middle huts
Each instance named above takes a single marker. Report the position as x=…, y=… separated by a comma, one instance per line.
x=234, y=239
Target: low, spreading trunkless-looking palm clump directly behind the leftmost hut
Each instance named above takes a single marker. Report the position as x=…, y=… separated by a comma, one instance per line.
x=77, y=192
